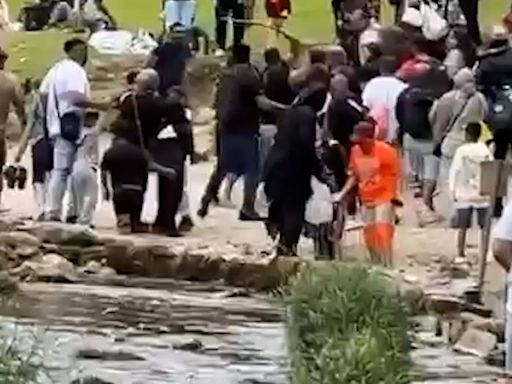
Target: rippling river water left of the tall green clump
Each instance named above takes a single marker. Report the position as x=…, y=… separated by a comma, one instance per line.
x=236, y=340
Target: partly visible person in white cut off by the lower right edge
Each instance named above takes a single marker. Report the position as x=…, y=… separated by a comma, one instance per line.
x=503, y=255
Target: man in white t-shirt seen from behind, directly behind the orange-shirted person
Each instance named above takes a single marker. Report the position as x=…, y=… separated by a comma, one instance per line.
x=380, y=96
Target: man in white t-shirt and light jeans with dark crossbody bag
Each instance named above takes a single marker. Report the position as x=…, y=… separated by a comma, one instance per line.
x=66, y=92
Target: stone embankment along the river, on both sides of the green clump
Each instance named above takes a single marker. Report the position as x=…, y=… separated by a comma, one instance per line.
x=54, y=252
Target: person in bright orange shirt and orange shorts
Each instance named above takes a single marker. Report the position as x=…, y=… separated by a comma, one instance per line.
x=374, y=168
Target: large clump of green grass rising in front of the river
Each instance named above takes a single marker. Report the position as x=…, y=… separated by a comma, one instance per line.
x=345, y=326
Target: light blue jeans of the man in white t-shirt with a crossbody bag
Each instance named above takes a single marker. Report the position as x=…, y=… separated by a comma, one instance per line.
x=64, y=153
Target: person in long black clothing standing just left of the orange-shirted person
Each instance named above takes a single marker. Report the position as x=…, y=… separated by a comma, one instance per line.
x=291, y=163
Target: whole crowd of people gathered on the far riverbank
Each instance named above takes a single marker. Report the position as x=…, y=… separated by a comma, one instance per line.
x=344, y=119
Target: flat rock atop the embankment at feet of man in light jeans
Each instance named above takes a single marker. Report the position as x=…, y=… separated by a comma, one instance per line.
x=64, y=234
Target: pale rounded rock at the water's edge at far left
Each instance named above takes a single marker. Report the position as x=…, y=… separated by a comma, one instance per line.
x=48, y=268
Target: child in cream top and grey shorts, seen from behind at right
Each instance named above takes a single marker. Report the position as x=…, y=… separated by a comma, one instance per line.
x=464, y=185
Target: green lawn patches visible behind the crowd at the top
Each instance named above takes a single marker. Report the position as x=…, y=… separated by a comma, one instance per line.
x=32, y=53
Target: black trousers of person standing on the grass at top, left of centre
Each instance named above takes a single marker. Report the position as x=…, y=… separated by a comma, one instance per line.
x=224, y=8
